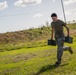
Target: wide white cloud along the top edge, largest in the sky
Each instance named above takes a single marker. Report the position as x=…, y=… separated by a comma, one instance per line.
x=24, y=3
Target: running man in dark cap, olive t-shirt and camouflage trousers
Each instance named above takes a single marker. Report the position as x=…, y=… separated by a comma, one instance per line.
x=57, y=28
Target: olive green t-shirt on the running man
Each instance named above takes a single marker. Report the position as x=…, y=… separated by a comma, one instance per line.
x=58, y=27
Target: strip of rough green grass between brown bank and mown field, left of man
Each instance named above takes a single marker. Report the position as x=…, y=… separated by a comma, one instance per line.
x=9, y=47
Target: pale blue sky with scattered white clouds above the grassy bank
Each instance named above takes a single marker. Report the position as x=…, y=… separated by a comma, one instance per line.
x=18, y=15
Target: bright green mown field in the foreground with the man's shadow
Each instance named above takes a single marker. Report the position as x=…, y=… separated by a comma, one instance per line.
x=37, y=61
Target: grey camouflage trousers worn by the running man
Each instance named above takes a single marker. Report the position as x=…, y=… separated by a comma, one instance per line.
x=60, y=47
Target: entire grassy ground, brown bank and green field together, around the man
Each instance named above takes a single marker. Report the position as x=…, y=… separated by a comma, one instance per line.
x=26, y=53
